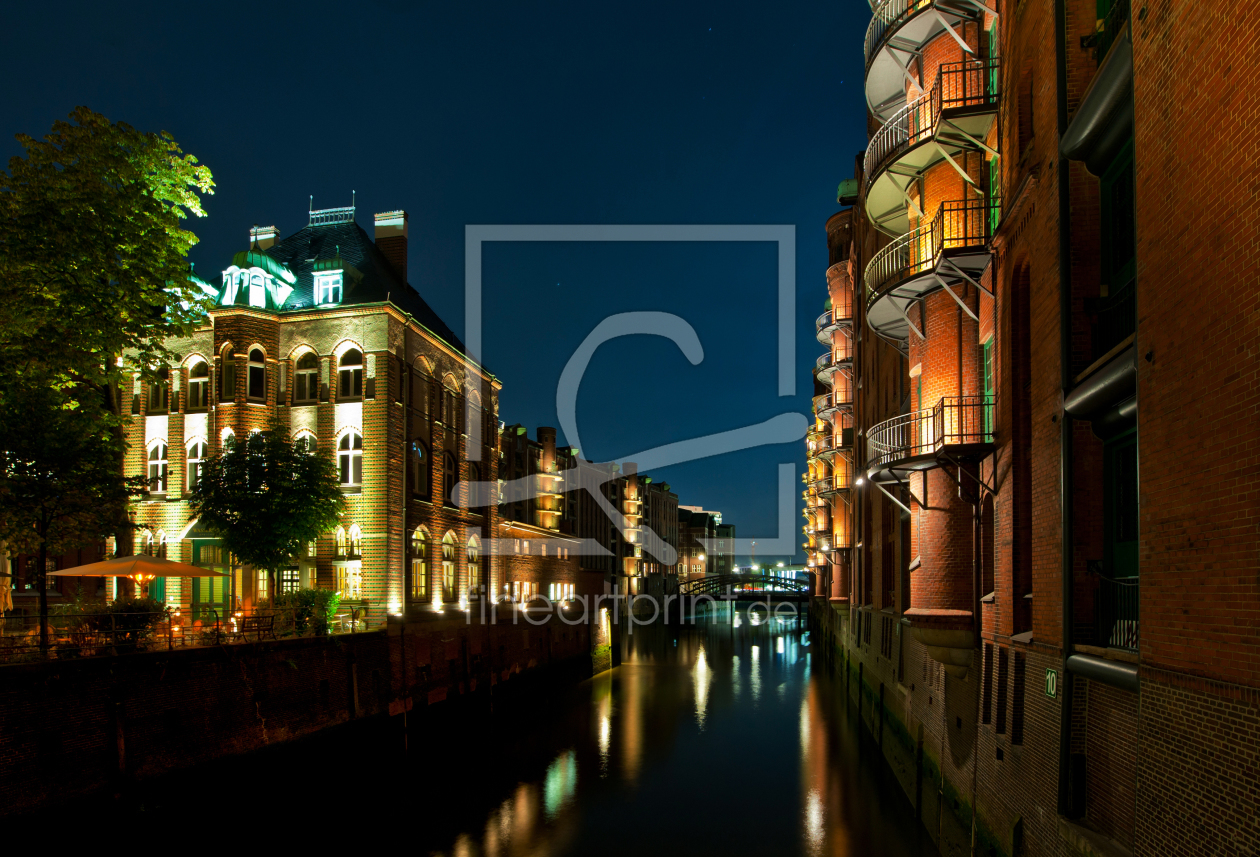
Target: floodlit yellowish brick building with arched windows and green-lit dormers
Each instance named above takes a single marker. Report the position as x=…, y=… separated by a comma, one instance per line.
x=323, y=332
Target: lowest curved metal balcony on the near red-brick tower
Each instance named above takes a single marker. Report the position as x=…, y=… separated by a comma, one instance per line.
x=958, y=428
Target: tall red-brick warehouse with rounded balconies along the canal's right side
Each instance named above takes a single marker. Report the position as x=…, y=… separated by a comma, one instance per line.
x=1044, y=594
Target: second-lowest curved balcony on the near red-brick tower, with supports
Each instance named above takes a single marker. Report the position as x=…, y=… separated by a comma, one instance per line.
x=947, y=253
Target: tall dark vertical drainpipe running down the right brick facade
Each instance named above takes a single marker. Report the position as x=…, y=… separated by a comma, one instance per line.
x=1065, y=427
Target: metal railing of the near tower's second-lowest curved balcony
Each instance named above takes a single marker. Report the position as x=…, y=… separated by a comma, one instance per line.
x=958, y=225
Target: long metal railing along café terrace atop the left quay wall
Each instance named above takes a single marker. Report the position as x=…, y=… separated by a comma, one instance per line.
x=85, y=635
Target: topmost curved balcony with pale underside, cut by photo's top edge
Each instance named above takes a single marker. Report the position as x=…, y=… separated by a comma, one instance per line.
x=898, y=32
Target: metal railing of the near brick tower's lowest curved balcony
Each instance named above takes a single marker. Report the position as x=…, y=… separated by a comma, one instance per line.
x=954, y=422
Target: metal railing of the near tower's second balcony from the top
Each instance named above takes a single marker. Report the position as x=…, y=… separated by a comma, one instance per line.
x=968, y=84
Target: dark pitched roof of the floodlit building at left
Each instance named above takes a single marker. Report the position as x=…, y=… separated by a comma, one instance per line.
x=302, y=250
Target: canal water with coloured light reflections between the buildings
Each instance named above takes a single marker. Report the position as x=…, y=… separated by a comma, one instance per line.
x=668, y=756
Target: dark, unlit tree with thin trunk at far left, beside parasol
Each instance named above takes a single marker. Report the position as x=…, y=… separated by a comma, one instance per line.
x=60, y=487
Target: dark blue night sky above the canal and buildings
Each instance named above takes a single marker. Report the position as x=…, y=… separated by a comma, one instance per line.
x=716, y=113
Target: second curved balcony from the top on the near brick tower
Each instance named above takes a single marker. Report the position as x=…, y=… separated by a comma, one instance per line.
x=953, y=118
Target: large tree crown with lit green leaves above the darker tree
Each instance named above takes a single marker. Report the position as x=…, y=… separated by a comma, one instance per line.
x=93, y=255
